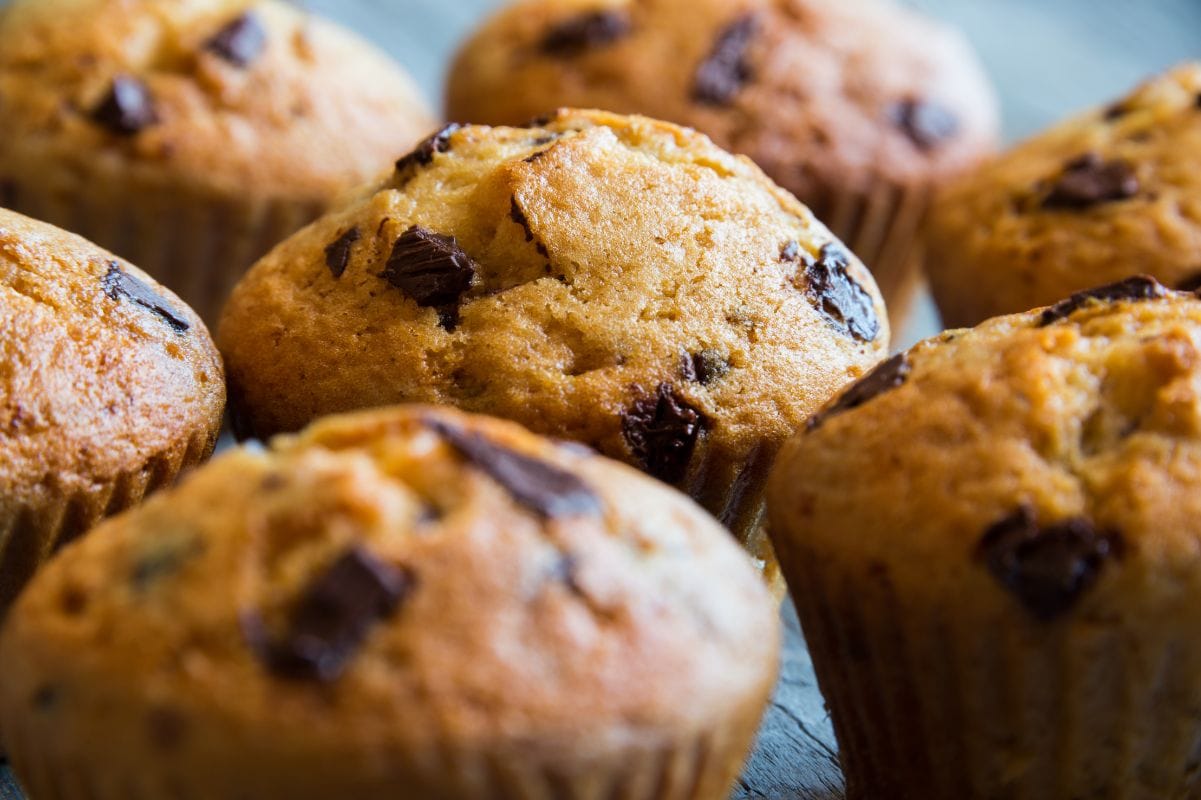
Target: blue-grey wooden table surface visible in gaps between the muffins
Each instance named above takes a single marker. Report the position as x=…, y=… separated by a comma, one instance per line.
x=1049, y=58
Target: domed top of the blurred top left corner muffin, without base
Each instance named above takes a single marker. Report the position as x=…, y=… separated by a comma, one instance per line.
x=232, y=95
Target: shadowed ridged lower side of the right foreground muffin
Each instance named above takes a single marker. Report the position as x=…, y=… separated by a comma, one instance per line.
x=933, y=705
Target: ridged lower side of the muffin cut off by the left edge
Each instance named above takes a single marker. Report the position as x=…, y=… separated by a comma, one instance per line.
x=31, y=534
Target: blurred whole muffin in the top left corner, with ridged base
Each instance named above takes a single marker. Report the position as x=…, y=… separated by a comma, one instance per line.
x=192, y=138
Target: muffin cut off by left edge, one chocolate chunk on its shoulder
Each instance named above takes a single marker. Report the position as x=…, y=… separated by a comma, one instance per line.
x=110, y=386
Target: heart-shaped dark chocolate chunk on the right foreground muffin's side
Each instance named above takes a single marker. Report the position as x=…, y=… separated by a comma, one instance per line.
x=1047, y=569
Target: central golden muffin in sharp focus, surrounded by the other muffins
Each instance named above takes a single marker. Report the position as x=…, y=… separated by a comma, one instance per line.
x=610, y=280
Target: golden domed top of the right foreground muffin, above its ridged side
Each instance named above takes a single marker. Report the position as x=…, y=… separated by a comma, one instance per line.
x=1048, y=462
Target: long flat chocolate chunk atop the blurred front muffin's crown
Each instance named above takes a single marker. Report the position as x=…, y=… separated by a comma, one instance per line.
x=540, y=486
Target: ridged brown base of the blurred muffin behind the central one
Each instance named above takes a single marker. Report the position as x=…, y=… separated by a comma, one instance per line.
x=883, y=228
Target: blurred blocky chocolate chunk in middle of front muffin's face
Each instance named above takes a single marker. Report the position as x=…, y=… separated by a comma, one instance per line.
x=333, y=618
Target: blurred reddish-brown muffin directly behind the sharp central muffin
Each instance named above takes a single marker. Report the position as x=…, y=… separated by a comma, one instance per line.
x=858, y=108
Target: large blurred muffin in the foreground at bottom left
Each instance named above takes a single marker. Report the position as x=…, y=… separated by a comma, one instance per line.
x=404, y=605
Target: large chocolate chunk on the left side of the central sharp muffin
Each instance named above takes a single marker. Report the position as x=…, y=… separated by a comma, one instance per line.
x=429, y=267
